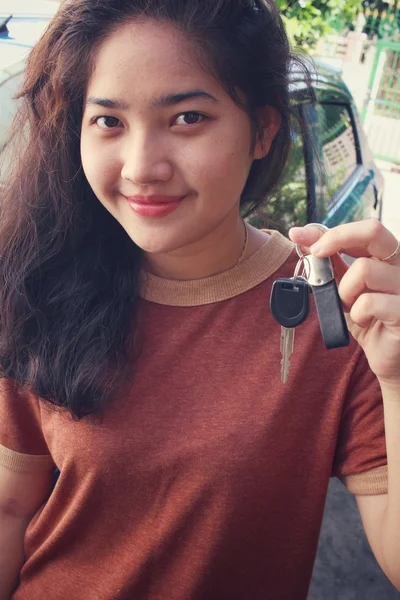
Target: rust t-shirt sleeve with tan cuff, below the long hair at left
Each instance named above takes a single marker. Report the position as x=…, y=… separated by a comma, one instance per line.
x=22, y=445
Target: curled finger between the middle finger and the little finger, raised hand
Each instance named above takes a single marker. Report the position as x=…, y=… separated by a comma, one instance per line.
x=369, y=307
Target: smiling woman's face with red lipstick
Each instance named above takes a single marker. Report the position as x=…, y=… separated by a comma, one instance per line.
x=156, y=124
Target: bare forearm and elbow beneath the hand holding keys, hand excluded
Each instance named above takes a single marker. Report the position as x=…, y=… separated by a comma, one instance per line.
x=381, y=514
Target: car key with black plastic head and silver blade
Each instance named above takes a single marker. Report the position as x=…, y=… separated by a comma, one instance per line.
x=290, y=306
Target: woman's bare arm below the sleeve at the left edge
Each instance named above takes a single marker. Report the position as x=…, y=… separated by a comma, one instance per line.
x=21, y=494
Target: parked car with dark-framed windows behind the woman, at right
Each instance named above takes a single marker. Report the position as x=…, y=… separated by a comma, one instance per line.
x=331, y=176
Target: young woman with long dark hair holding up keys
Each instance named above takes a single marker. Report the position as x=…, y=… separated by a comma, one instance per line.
x=137, y=350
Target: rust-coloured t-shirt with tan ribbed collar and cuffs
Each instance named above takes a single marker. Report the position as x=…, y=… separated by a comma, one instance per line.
x=207, y=478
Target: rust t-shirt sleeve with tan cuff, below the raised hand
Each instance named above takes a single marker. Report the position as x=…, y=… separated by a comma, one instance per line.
x=360, y=458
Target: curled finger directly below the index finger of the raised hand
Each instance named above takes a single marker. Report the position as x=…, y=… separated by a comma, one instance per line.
x=368, y=274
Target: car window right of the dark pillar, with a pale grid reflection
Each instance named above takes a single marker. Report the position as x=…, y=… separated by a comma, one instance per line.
x=338, y=148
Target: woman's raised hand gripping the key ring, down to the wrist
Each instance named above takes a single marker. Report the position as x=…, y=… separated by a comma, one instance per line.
x=369, y=288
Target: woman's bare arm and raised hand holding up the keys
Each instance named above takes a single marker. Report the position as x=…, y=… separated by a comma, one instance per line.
x=370, y=292
